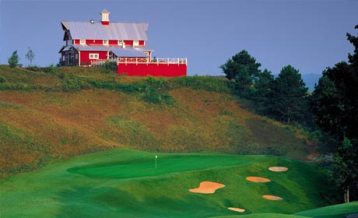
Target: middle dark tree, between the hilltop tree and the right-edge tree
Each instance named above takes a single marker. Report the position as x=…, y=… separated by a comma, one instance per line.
x=287, y=100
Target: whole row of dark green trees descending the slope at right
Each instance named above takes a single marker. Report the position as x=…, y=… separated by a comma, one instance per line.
x=331, y=108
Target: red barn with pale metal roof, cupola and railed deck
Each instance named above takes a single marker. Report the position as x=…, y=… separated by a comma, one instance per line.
x=93, y=43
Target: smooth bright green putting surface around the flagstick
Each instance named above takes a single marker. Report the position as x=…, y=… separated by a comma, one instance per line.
x=145, y=166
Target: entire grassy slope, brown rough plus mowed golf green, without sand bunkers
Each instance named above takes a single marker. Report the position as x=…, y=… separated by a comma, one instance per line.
x=76, y=129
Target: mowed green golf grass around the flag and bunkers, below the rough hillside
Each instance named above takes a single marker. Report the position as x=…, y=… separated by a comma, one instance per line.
x=125, y=183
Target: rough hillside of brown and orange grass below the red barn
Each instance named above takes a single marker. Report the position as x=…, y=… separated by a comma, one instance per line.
x=55, y=113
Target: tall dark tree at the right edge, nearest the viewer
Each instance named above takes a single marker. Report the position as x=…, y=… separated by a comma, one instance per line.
x=335, y=106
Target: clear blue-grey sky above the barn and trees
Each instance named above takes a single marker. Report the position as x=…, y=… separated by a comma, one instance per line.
x=308, y=34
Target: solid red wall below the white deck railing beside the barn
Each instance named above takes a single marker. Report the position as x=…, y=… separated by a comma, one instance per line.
x=152, y=69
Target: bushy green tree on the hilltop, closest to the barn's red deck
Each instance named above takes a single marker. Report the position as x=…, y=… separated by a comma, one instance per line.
x=243, y=69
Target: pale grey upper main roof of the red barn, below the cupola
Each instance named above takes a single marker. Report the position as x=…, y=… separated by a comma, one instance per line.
x=112, y=31
